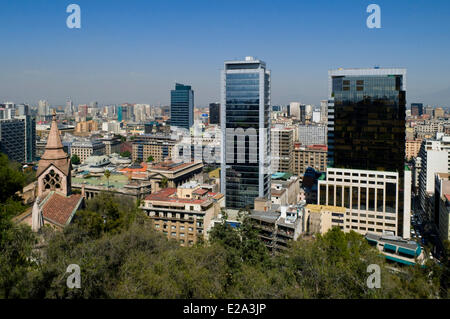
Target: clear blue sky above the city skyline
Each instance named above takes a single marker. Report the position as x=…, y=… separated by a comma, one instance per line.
x=134, y=51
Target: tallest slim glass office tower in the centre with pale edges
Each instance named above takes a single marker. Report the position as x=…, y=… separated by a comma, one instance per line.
x=245, y=124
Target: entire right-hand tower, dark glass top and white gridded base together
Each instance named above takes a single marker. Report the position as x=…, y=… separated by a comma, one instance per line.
x=366, y=145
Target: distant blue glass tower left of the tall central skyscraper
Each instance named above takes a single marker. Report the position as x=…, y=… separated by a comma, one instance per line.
x=182, y=106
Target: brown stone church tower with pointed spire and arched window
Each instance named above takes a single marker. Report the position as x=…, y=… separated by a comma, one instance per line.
x=54, y=168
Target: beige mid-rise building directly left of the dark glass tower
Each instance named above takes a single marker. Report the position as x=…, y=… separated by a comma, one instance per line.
x=314, y=156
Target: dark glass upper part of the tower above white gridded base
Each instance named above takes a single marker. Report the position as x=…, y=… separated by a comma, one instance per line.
x=366, y=127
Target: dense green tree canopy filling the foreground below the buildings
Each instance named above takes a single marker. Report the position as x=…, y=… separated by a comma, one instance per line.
x=121, y=256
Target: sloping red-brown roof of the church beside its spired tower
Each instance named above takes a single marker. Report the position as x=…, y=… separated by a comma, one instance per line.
x=59, y=208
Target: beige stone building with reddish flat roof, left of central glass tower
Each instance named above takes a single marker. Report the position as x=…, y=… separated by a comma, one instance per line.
x=184, y=213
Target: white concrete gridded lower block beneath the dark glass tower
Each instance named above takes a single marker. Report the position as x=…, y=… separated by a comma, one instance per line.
x=370, y=198
